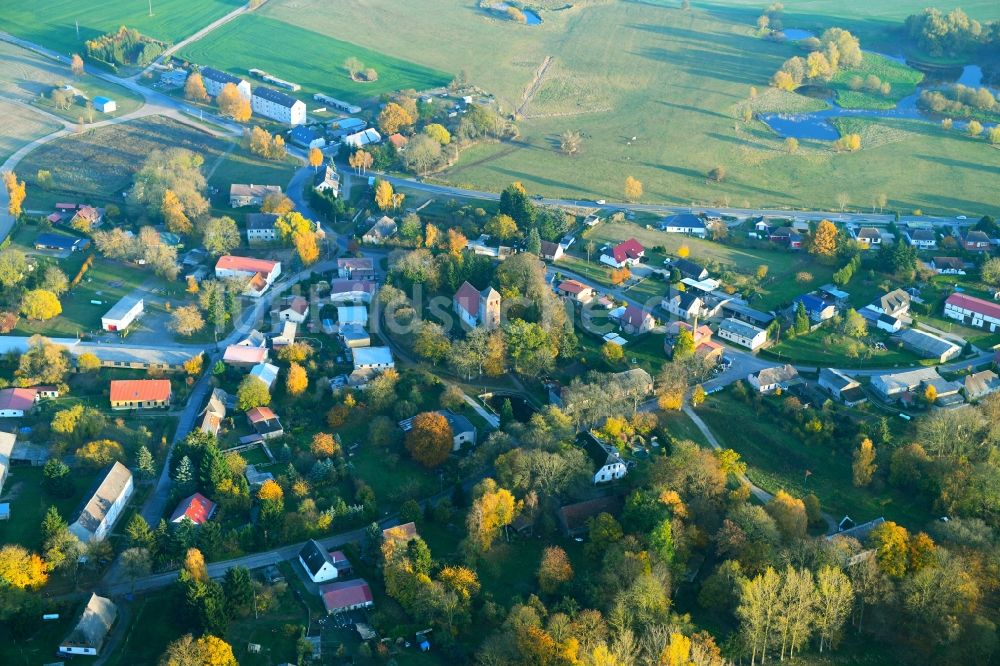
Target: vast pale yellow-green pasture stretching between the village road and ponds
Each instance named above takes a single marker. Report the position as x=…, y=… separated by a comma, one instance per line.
x=673, y=80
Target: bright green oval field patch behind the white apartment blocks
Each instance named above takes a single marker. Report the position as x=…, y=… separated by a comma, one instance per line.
x=258, y=41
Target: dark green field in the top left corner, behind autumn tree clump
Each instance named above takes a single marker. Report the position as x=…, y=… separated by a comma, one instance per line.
x=52, y=23
